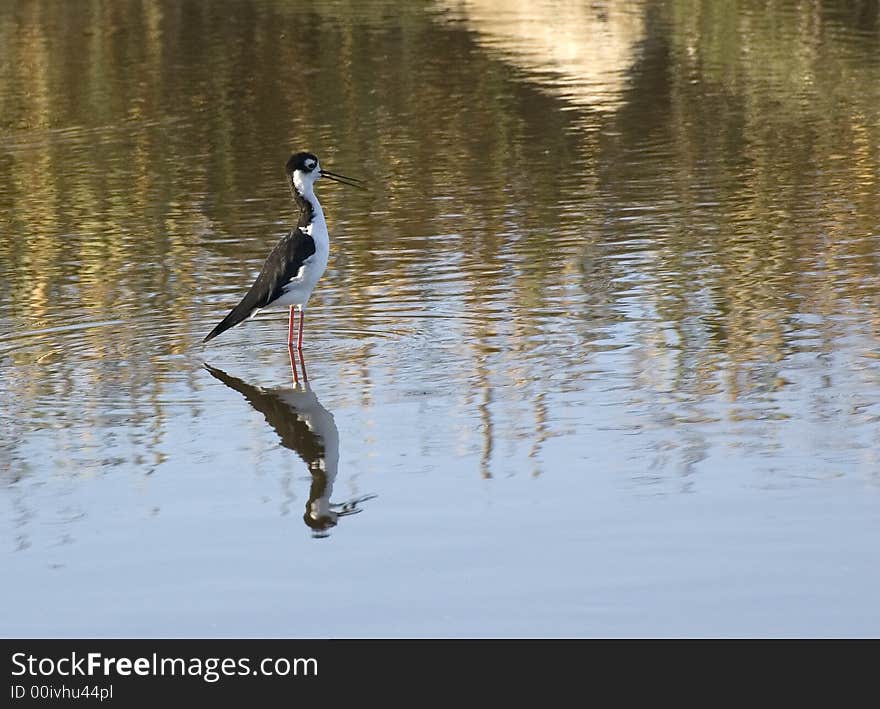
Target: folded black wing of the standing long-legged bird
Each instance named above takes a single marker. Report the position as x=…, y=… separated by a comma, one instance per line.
x=281, y=265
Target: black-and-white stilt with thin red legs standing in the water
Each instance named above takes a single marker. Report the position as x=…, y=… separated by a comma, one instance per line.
x=297, y=262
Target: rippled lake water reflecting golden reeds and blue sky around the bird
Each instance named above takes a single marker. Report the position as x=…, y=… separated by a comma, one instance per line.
x=597, y=353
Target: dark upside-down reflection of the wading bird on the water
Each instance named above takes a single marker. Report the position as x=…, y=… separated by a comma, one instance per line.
x=306, y=427
